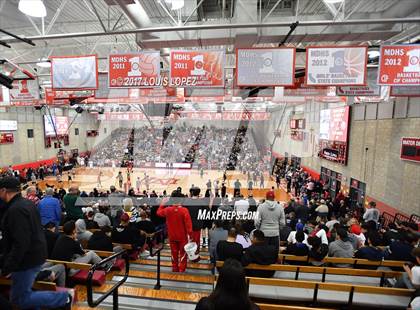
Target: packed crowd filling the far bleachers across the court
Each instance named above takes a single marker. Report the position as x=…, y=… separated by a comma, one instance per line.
x=212, y=147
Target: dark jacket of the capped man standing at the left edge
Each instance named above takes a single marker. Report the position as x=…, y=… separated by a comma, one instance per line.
x=23, y=236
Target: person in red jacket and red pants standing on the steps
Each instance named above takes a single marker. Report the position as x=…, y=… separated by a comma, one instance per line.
x=178, y=222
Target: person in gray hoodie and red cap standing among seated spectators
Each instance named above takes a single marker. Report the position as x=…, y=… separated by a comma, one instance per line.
x=270, y=219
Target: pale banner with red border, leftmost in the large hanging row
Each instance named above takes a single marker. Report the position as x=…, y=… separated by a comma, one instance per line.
x=74, y=72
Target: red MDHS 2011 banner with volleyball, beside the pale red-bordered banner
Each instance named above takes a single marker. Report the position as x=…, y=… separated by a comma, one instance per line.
x=140, y=69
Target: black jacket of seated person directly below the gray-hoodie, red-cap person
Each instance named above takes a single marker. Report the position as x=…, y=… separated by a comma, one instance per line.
x=261, y=254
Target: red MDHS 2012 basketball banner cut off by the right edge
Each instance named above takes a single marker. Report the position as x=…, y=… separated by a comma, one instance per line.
x=399, y=65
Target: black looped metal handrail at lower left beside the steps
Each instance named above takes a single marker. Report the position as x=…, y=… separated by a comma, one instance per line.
x=114, y=289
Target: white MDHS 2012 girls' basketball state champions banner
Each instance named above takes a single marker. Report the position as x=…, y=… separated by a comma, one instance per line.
x=339, y=66
